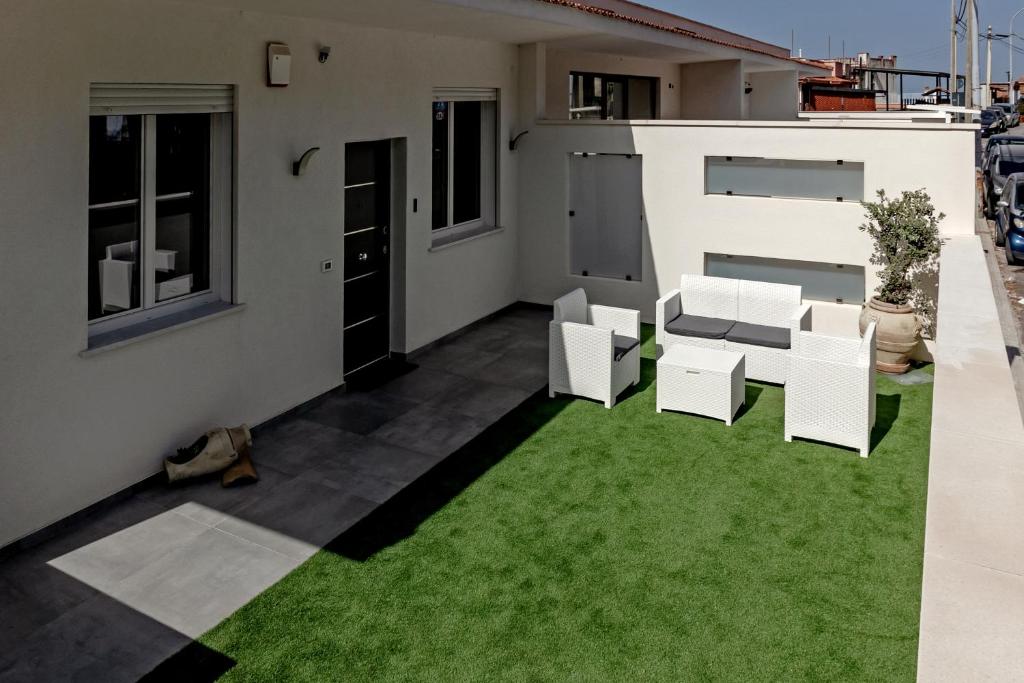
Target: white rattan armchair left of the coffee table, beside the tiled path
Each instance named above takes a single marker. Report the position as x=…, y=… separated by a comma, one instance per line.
x=594, y=352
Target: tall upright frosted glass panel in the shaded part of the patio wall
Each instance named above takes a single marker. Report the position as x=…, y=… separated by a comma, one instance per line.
x=607, y=217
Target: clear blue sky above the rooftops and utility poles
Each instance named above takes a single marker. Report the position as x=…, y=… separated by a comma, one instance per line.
x=917, y=31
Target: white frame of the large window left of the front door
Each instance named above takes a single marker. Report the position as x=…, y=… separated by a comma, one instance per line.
x=222, y=229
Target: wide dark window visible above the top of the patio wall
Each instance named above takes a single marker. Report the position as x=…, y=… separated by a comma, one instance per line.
x=612, y=98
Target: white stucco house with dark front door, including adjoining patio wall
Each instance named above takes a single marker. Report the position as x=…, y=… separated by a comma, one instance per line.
x=164, y=271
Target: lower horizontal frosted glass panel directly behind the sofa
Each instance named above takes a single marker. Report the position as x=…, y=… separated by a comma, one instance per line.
x=821, y=282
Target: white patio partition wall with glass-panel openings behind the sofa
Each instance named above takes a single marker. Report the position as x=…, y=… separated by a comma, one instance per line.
x=682, y=224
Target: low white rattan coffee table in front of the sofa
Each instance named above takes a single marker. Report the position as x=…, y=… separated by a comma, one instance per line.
x=703, y=381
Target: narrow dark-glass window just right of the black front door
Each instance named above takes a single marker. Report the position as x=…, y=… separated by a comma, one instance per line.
x=463, y=163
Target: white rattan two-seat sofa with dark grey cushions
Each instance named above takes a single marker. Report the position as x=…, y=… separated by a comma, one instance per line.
x=755, y=319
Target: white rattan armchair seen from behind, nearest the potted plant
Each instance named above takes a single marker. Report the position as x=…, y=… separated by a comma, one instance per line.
x=830, y=396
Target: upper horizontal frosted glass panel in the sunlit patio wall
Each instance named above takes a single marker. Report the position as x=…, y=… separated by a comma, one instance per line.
x=785, y=179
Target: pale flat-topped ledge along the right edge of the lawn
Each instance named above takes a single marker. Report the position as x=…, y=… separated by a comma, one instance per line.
x=972, y=615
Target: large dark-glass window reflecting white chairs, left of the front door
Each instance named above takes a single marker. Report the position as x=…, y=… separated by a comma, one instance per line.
x=152, y=237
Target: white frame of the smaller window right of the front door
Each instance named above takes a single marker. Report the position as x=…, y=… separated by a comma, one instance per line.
x=490, y=163
